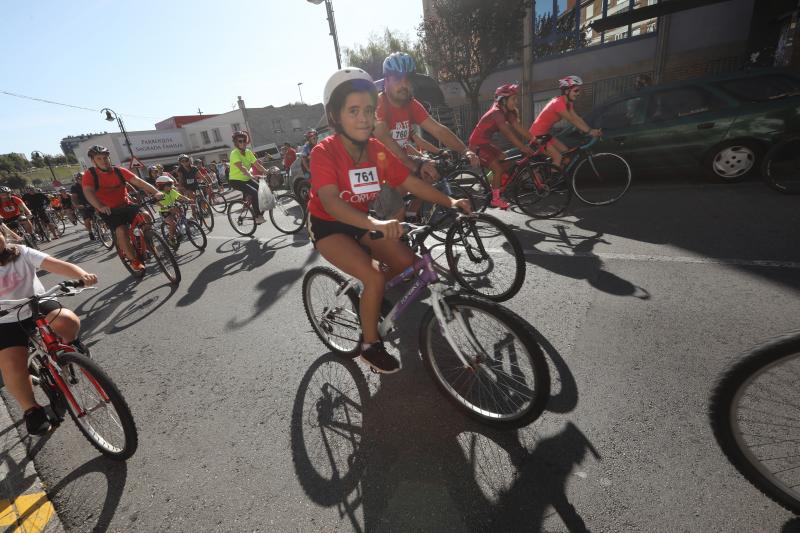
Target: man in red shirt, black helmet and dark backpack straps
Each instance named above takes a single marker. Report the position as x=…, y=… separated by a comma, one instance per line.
x=104, y=186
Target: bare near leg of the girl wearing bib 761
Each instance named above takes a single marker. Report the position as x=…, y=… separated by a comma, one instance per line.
x=343, y=252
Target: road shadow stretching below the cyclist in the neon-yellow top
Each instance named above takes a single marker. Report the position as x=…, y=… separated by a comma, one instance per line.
x=239, y=256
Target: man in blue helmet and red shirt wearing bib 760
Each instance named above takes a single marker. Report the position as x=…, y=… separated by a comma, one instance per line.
x=397, y=113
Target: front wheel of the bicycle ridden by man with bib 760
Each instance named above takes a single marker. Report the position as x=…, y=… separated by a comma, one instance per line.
x=485, y=257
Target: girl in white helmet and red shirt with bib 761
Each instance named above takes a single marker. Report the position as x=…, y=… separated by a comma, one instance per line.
x=347, y=170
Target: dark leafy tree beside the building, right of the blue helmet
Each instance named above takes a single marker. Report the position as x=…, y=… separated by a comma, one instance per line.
x=466, y=40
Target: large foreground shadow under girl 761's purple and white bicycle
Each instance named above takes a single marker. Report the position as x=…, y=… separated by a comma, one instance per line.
x=390, y=453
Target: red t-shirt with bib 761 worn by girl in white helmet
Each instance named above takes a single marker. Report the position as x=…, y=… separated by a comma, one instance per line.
x=358, y=184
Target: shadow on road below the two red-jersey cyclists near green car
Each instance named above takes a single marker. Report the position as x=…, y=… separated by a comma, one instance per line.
x=589, y=266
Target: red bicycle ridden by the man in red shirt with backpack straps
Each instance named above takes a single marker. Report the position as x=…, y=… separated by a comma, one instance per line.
x=148, y=246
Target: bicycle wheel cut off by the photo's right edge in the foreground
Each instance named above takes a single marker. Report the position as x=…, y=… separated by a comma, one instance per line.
x=755, y=414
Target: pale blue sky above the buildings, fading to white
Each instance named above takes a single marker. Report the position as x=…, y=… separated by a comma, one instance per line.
x=149, y=60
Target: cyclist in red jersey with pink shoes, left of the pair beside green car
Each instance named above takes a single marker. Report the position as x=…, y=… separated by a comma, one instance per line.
x=503, y=116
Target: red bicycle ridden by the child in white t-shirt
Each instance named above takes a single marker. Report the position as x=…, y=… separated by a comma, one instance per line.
x=74, y=383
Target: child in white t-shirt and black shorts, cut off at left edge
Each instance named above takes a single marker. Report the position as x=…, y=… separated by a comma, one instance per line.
x=18, y=266
